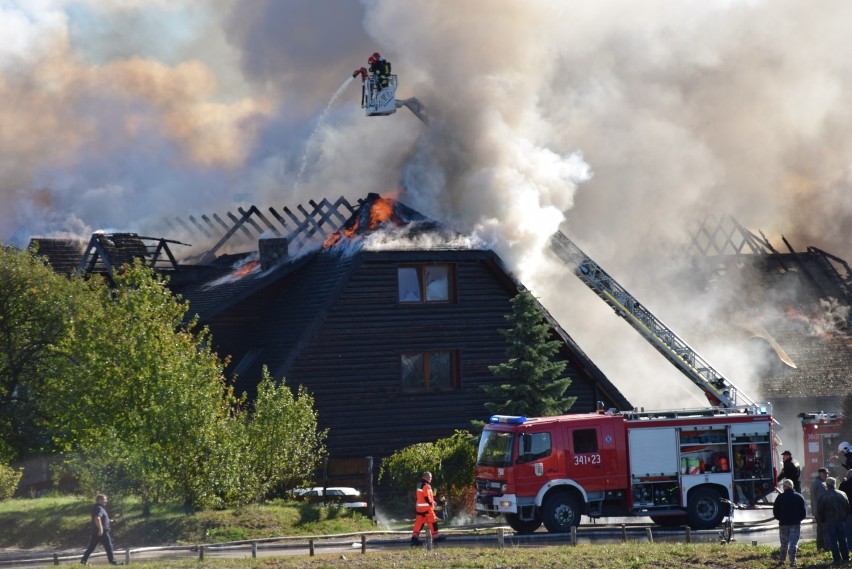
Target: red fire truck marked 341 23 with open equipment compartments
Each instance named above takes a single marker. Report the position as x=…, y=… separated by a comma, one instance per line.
x=674, y=466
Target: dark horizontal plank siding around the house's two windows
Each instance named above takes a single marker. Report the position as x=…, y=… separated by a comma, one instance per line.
x=352, y=364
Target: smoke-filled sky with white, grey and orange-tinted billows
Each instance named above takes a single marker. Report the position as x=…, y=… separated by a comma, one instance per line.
x=620, y=122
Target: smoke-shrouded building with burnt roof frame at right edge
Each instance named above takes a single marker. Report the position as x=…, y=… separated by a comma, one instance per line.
x=790, y=308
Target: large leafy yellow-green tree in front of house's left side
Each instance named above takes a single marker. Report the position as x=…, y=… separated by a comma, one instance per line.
x=140, y=396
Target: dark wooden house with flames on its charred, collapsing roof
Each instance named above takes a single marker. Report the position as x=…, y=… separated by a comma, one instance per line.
x=386, y=316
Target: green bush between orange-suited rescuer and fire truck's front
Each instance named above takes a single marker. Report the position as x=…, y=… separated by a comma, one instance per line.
x=451, y=461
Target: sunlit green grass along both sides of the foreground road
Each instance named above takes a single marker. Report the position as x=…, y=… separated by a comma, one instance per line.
x=57, y=523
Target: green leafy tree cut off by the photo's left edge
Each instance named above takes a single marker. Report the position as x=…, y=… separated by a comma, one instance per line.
x=34, y=306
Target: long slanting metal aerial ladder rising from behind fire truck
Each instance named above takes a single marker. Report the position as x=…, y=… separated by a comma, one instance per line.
x=718, y=389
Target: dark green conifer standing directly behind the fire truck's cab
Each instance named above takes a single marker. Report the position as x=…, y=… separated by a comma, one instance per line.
x=534, y=385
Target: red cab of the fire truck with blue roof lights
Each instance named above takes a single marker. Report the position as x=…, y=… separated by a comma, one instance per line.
x=551, y=470
